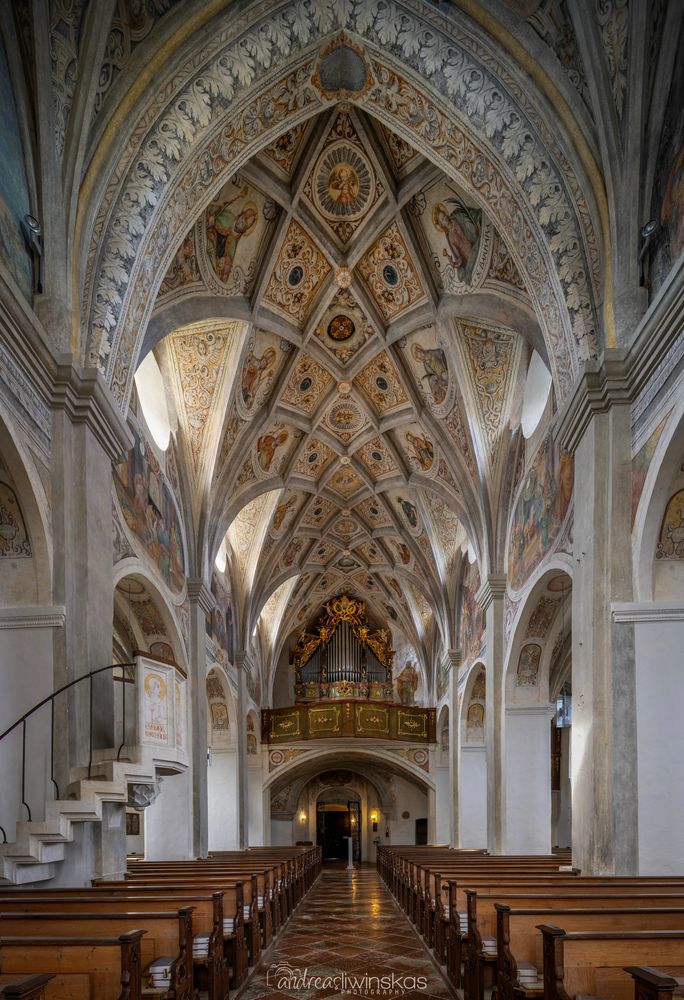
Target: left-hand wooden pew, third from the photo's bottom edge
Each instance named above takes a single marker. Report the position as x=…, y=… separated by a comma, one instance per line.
x=165, y=934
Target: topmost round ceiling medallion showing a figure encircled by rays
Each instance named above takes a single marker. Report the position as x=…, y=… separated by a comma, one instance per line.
x=343, y=183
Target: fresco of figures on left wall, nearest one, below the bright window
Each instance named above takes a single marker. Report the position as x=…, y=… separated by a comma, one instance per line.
x=150, y=511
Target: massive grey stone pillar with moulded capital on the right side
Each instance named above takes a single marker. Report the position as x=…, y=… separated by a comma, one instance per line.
x=595, y=427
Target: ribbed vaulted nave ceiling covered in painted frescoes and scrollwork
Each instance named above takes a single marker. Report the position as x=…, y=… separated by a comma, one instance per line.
x=351, y=420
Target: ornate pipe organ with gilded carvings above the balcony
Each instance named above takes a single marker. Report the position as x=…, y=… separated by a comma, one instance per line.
x=342, y=658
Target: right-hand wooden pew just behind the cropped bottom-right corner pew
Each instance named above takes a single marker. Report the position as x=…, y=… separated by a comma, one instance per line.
x=594, y=963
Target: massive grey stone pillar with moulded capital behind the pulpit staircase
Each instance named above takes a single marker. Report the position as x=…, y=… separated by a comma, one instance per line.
x=88, y=434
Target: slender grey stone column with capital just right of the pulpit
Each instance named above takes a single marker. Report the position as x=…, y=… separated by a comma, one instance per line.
x=202, y=603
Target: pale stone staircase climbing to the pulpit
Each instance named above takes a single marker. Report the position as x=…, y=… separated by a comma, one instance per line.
x=41, y=845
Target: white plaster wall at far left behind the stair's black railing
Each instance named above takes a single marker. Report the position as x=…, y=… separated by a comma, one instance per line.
x=26, y=677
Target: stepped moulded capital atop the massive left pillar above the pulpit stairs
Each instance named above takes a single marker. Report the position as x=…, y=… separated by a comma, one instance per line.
x=84, y=396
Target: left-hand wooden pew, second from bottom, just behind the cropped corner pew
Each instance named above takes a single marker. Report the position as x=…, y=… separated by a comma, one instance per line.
x=88, y=968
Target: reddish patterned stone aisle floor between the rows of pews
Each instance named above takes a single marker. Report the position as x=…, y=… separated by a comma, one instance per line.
x=347, y=939
